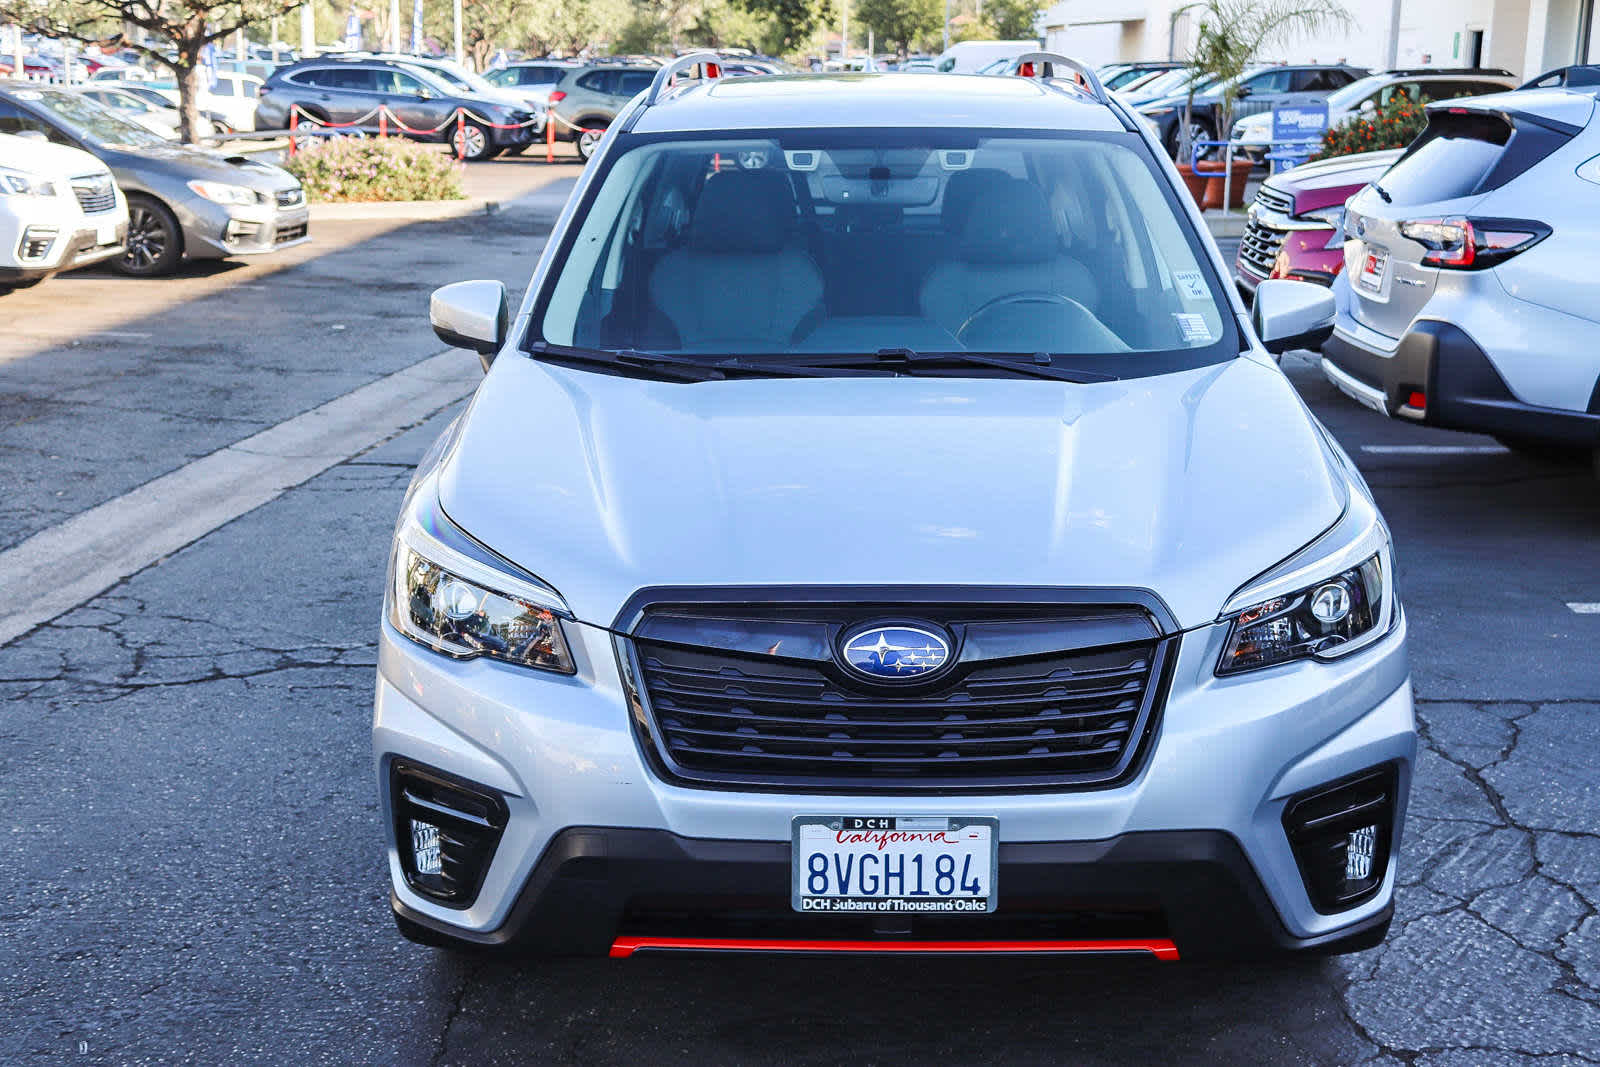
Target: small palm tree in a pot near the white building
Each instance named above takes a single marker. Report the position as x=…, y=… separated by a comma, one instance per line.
x=1231, y=38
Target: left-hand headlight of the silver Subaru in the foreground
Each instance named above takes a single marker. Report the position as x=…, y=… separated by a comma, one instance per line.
x=454, y=596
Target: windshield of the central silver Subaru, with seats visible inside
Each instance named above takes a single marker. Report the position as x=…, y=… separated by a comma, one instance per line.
x=860, y=242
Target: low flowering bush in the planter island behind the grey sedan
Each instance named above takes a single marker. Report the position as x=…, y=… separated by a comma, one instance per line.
x=377, y=169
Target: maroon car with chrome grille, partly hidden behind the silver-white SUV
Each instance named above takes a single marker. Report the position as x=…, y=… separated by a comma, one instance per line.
x=1295, y=228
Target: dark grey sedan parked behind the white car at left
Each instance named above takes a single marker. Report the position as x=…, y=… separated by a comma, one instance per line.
x=183, y=204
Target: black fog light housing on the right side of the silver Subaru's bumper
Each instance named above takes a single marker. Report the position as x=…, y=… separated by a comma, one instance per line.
x=1342, y=836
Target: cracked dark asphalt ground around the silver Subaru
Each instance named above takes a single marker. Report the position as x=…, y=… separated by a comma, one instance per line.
x=194, y=866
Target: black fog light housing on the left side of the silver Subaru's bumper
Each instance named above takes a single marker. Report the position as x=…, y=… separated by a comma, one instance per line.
x=447, y=831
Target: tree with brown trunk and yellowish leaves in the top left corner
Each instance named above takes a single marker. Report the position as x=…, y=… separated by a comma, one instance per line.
x=183, y=26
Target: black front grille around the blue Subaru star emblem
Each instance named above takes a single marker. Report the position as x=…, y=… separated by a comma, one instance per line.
x=1047, y=698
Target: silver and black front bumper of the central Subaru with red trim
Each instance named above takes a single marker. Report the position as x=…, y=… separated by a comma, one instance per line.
x=596, y=844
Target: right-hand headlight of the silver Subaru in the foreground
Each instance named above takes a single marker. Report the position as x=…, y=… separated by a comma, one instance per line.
x=1332, y=599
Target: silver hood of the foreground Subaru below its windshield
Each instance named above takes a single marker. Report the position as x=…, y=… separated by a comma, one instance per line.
x=1186, y=486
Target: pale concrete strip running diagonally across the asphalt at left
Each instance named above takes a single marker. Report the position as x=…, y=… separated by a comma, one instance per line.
x=71, y=562
